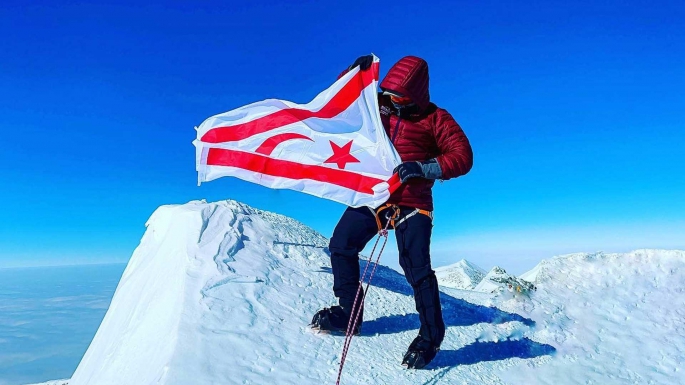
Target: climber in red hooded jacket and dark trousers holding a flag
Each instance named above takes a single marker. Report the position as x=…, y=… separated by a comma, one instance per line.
x=432, y=147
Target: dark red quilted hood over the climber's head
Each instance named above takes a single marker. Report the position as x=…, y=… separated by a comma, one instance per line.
x=409, y=77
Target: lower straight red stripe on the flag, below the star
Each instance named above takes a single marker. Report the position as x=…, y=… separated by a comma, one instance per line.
x=291, y=170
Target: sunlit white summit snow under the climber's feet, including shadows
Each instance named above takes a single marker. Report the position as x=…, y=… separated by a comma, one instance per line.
x=222, y=293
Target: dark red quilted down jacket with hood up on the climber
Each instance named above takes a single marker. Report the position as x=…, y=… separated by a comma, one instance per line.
x=423, y=133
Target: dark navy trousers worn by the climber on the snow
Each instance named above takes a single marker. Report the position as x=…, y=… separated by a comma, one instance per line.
x=355, y=229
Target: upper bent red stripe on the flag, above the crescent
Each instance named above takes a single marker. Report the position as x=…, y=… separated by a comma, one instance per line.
x=339, y=103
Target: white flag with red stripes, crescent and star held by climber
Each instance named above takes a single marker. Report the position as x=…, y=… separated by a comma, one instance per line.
x=333, y=147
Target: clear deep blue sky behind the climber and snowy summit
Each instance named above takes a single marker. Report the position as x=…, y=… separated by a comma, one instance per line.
x=575, y=113
